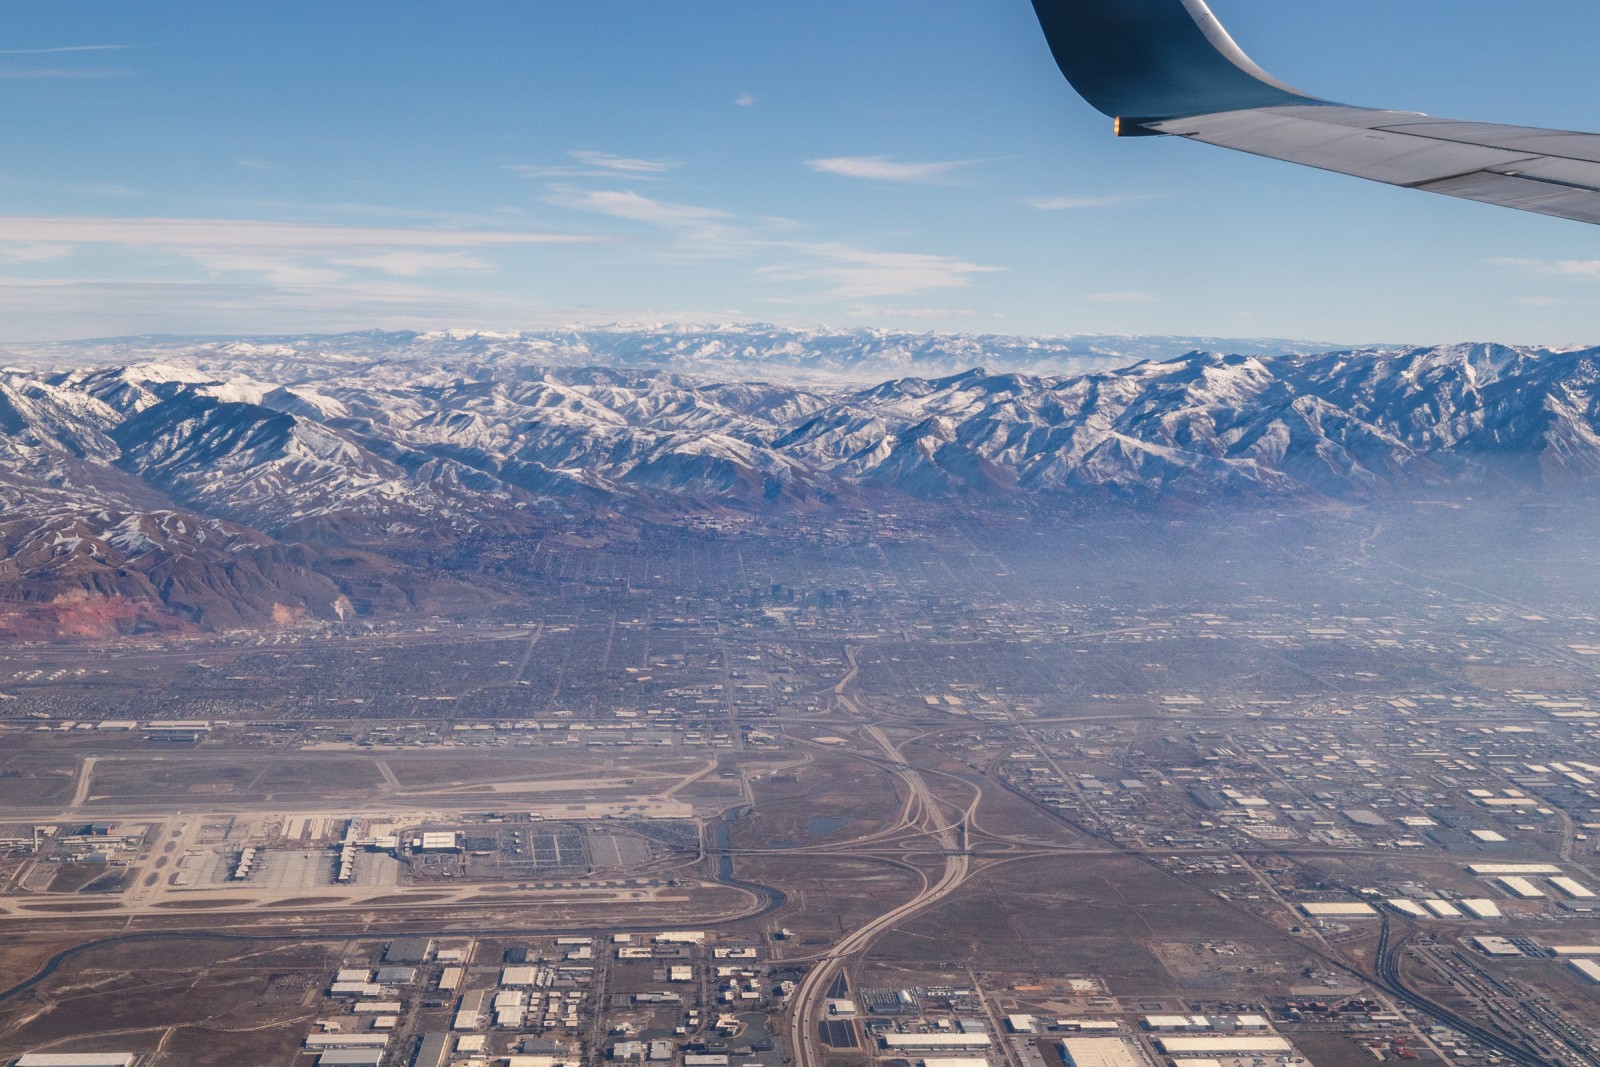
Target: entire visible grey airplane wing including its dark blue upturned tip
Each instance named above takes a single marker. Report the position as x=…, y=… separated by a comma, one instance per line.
x=1169, y=68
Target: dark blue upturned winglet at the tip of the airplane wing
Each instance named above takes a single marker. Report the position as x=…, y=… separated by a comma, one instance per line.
x=1145, y=62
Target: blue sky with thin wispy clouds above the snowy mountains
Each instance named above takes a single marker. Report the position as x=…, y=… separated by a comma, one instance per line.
x=310, y=167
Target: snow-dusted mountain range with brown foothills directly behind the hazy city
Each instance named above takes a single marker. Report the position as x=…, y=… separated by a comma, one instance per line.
x=258, y=482
